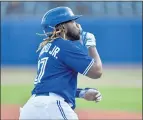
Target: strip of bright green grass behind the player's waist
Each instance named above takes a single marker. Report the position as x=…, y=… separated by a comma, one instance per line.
x=114, y=98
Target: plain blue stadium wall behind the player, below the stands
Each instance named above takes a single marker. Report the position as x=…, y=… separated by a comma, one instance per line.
x=118, y=40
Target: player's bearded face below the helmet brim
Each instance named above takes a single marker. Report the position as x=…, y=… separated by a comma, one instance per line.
x=72, y=30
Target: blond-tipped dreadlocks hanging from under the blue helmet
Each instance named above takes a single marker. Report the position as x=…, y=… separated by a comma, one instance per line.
x=53, y=35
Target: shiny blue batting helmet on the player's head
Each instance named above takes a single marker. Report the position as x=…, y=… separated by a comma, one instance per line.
x=56, y=16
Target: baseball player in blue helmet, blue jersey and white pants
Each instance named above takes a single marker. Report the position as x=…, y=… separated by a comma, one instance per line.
x=65, y=52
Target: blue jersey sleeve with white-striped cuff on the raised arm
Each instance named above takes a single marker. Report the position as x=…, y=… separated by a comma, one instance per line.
x=75, y=57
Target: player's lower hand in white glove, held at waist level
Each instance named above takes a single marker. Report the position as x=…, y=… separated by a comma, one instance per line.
x=92, y=95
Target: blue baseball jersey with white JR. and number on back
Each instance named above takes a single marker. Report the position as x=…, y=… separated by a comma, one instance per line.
x=59, y=63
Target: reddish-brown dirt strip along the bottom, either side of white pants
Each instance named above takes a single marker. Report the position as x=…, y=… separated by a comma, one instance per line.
x=12, y=112
